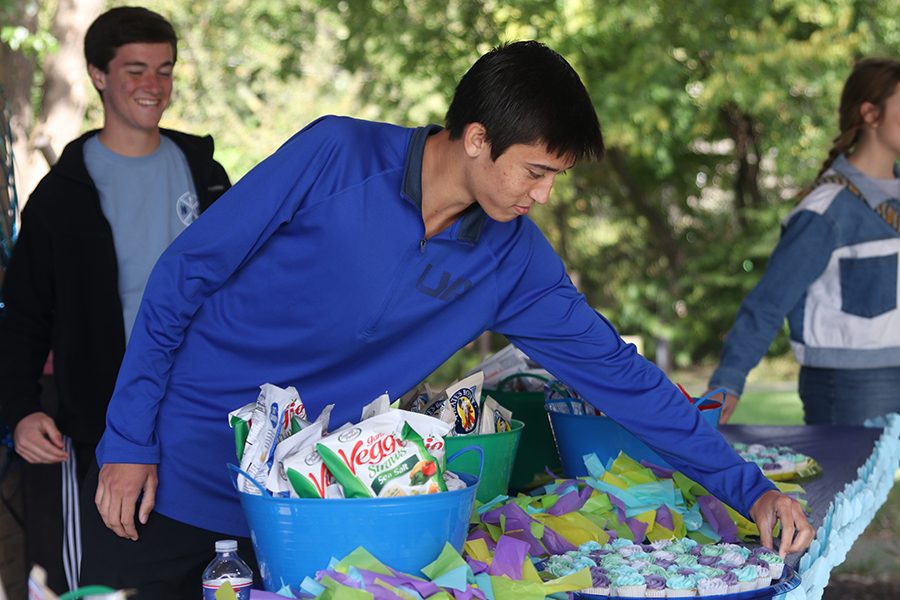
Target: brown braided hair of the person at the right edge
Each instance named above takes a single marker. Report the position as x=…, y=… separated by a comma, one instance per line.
x=872, y=80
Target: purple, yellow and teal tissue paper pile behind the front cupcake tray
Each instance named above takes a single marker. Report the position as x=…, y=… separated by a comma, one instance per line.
x=623, y=498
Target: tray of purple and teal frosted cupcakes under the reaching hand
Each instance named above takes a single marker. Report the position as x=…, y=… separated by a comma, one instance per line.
x=675, y=568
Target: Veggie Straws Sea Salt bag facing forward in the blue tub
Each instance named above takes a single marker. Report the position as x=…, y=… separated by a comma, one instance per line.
x=383, y=456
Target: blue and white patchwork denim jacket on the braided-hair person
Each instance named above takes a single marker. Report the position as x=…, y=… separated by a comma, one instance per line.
x=834, y=274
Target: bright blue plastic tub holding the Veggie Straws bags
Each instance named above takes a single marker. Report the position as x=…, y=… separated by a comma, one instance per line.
x=295, y=537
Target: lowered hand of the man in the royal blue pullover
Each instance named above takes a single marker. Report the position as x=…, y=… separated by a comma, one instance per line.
x=118, y=488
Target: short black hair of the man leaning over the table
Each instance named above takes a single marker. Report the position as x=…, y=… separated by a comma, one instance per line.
x=526, y=93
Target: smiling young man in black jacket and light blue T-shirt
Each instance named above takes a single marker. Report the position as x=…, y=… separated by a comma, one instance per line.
x=91, y=232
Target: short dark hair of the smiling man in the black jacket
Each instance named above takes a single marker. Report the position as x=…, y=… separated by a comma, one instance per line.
x=125, y=25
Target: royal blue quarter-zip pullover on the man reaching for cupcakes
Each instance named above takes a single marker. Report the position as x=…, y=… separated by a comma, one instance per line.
x=313, y=271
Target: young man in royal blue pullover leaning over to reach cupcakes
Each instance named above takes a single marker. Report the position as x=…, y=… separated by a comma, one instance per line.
x=357, y=259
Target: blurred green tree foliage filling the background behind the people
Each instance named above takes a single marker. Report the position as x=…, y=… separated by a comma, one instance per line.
x=716, y=114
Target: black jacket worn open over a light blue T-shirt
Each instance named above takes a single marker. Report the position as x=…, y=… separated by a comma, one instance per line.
x=61, y=292
